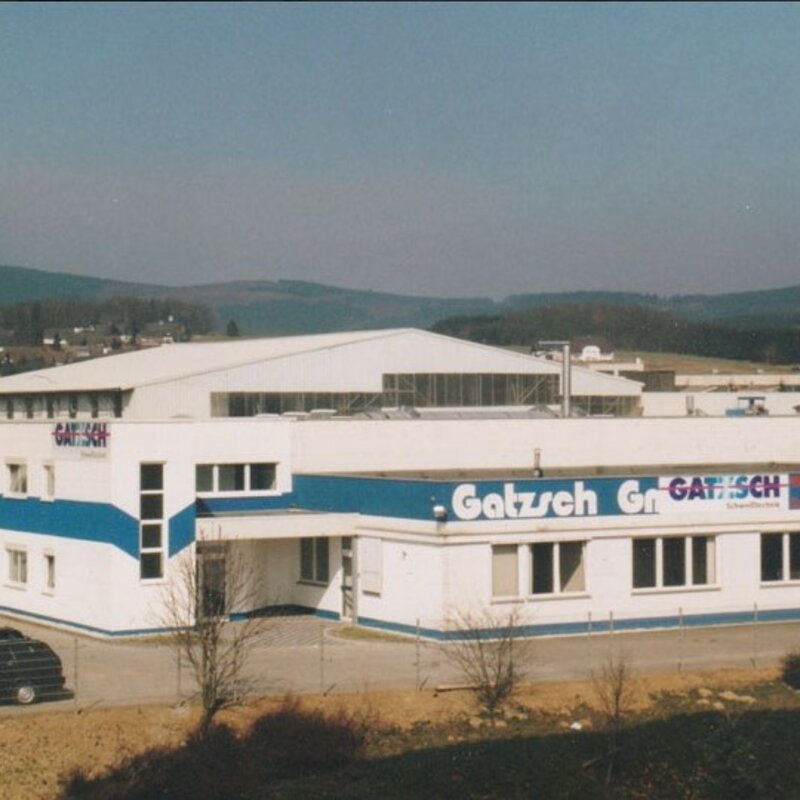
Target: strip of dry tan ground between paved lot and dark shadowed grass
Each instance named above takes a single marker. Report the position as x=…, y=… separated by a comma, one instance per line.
x=40, y=747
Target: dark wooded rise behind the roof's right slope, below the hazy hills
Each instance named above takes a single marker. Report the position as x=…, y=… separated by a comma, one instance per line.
x=630, y=328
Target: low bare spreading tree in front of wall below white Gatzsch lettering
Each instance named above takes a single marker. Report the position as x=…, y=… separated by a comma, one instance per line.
x=489, y=654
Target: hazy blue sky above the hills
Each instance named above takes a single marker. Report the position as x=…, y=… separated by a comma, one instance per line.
x=424, y=148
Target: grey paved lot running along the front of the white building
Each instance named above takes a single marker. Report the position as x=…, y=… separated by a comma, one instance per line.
x=306, y=654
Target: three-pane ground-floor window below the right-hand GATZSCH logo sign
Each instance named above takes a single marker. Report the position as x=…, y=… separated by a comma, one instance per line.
x=673, y=561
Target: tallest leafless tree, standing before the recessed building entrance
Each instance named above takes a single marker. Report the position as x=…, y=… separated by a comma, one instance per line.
x=209, y=584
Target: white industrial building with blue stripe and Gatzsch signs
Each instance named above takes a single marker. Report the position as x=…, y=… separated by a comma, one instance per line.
x=398, y=479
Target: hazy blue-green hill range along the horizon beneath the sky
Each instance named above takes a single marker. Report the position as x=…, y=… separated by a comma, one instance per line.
x=294, y=307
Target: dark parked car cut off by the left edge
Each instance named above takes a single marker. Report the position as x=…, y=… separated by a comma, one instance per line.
x=29, y=669
